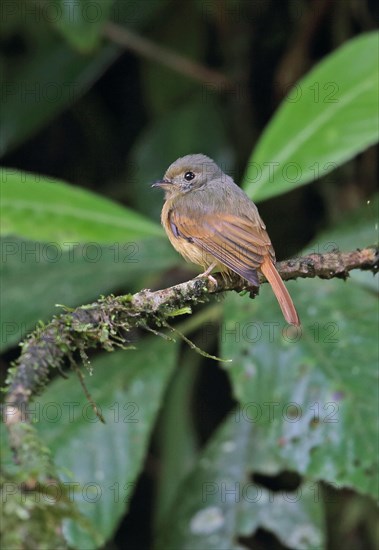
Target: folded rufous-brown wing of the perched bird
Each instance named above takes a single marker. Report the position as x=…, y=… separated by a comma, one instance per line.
x=235, y=241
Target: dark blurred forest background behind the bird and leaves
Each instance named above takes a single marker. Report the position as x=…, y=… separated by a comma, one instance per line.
x=110, y=110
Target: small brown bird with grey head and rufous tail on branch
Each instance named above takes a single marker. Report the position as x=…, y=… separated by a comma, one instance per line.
x=213, y=223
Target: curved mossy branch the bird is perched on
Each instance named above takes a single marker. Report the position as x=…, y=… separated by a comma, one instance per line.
x=106, y=322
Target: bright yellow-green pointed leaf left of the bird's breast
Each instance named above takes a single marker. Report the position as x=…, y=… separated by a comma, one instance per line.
x=41, y=208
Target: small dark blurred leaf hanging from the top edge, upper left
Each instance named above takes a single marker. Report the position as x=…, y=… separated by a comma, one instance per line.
x=81, y=22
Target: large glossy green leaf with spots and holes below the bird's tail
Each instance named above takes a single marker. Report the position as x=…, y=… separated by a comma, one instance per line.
x=309, y=392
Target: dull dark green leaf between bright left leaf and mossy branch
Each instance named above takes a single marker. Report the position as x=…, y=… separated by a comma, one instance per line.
x=37, y=276
